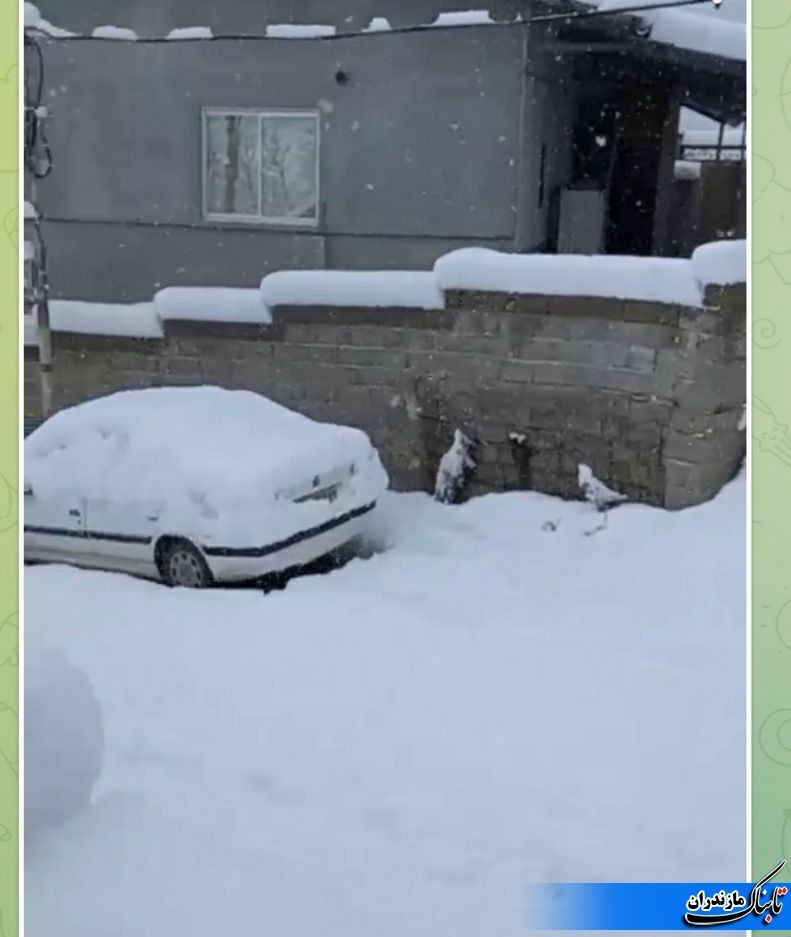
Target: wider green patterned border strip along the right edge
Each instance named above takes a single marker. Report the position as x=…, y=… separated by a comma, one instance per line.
x=771, y=437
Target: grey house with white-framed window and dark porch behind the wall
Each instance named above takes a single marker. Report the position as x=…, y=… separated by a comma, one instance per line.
x=190, y=162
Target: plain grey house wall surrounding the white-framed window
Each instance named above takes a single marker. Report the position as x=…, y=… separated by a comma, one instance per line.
x=431, y=145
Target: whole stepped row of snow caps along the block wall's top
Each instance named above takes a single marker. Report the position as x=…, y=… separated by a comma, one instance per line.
x=676, y=281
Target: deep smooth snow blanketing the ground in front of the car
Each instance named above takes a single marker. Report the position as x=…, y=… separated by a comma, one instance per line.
x=398, y=747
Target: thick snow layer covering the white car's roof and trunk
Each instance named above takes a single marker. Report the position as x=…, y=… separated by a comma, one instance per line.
x=209, y=463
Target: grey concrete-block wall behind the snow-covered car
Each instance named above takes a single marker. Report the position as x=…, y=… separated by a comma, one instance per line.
x=649, y=395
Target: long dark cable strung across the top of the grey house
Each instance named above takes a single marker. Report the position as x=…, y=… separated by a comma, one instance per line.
x=392, y=31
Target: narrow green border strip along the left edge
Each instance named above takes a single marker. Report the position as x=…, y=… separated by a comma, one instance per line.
x=9, y=460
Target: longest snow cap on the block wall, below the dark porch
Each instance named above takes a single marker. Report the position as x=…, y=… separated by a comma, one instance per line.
x=653, y=279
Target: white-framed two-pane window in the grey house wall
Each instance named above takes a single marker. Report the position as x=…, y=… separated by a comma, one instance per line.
x=261, y=166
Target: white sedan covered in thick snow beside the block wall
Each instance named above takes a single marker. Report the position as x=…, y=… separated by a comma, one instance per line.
x=194, y=485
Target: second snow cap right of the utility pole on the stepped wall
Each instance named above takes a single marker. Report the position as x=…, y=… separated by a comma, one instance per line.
x=211, y=304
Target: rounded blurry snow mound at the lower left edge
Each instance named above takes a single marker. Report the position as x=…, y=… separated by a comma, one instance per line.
x=64, y=740
